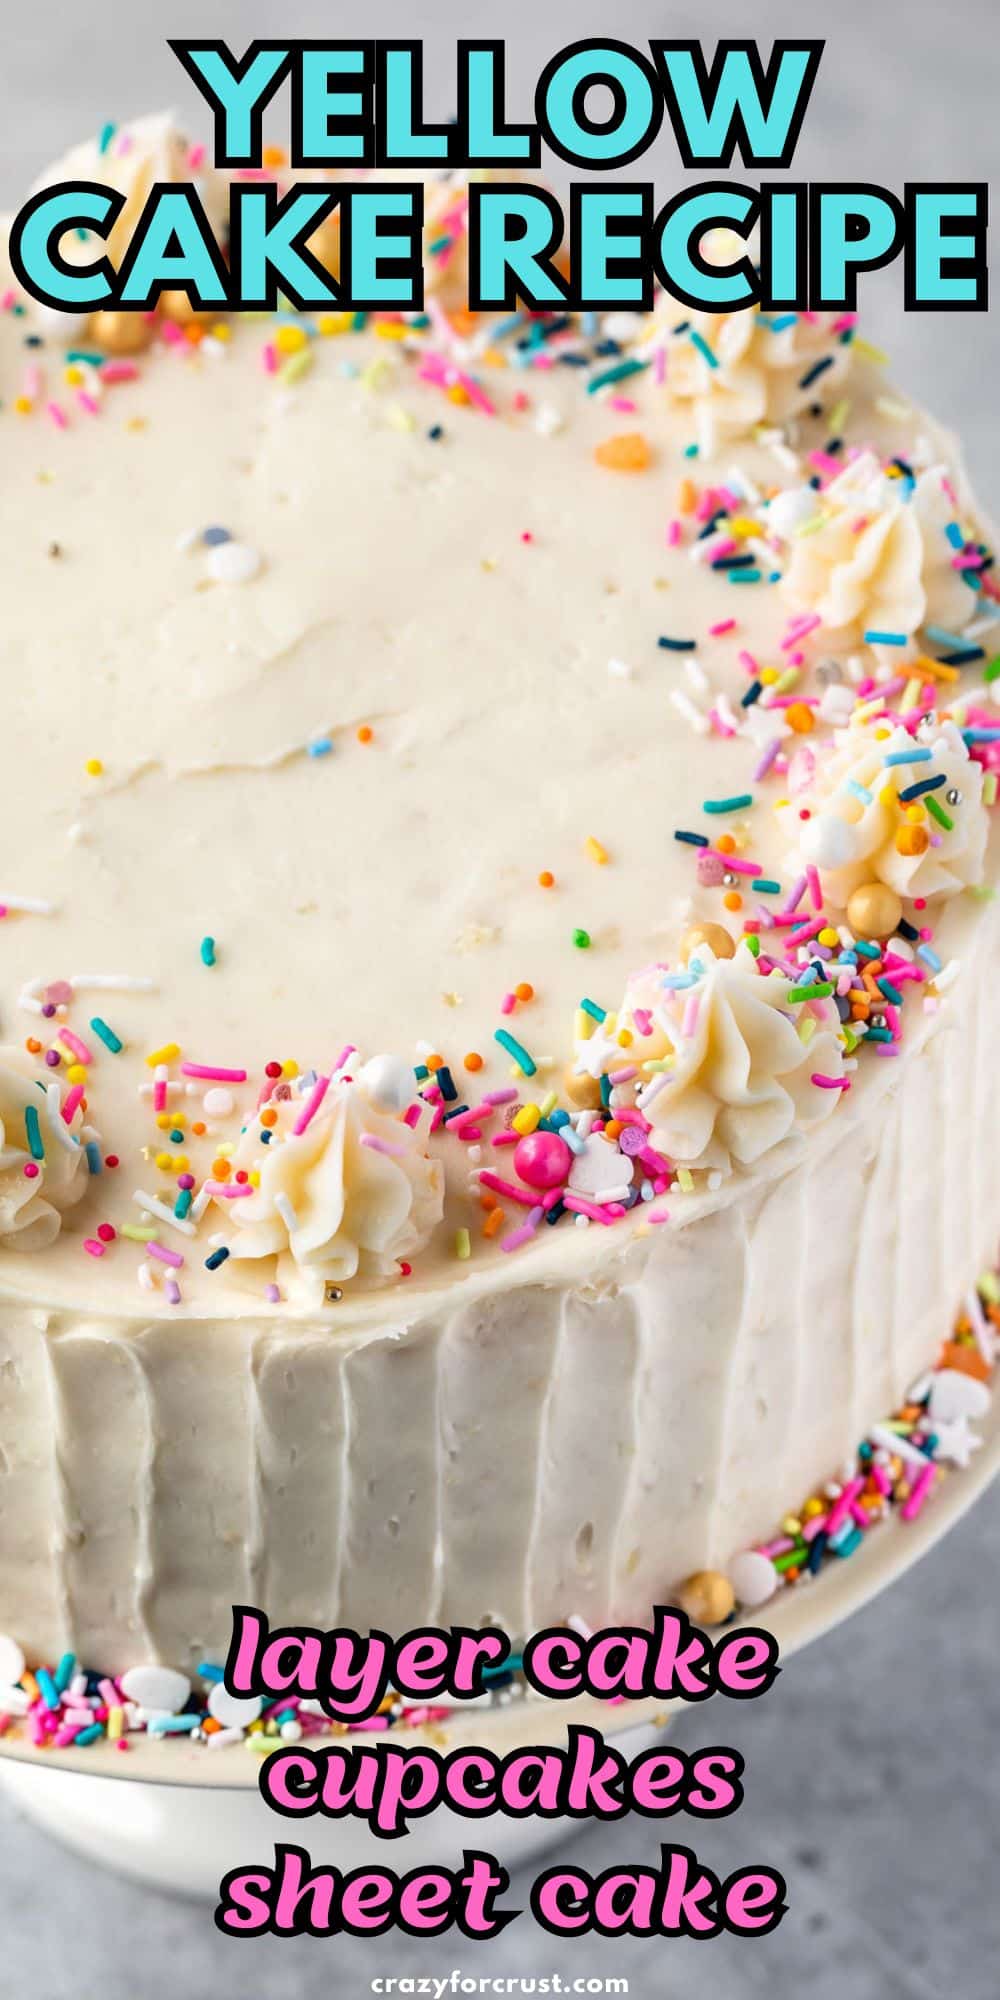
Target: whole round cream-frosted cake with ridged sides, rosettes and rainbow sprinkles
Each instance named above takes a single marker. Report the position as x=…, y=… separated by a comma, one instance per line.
x=497, y=969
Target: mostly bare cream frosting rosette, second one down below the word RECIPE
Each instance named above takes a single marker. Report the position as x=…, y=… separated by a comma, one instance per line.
x=871, y=553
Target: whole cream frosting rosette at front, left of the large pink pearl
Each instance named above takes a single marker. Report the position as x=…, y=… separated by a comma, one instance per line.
x=337, y=1191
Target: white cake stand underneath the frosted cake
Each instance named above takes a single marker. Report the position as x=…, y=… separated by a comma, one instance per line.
x=181, y=1817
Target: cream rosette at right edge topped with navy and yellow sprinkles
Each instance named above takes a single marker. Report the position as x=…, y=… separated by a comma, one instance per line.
x=889, y=807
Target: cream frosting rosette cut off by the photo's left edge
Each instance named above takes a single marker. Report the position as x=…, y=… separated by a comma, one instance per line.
x=43, y=1165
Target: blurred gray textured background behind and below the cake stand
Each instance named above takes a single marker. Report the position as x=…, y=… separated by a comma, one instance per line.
x=873, y=1781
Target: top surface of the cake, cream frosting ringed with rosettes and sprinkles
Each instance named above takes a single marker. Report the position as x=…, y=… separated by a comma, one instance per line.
x=381, y=693
